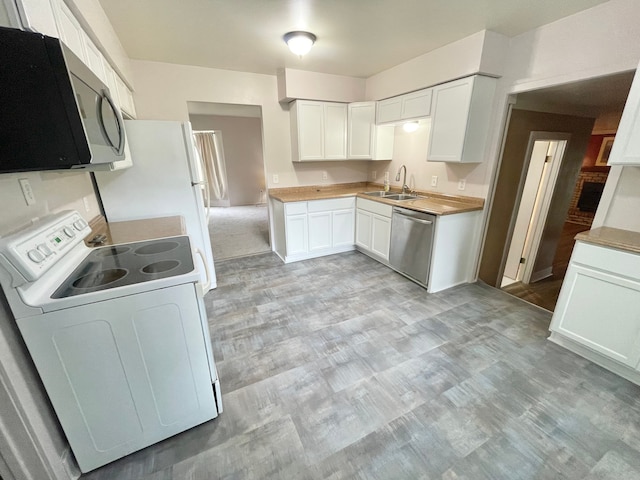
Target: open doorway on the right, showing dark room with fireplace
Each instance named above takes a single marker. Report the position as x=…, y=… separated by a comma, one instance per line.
x=589, y=111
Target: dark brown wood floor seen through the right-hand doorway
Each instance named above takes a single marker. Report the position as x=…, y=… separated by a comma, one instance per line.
x=545, y=292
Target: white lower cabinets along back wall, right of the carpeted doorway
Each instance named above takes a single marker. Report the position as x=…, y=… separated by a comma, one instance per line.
x=312, y=229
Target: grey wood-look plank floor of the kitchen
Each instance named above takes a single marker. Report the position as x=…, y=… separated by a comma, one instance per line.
x=339, y=368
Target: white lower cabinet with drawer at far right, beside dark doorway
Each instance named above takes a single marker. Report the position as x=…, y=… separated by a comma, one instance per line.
x=597, y=314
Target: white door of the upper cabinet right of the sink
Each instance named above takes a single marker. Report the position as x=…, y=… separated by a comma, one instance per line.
x=450, y=113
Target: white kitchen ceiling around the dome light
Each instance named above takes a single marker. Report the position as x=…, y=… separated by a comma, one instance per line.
x=355, y=37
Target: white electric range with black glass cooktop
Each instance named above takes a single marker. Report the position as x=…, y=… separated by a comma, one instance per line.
x=118, y=334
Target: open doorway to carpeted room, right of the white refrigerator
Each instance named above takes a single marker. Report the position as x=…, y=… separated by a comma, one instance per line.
x=230, y=137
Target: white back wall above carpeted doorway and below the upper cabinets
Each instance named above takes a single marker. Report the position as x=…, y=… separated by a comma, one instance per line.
x=163, y=90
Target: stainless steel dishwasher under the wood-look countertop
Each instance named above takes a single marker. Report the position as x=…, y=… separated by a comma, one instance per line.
x=411, y=242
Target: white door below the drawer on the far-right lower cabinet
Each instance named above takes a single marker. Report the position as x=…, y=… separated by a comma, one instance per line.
x=600, y=310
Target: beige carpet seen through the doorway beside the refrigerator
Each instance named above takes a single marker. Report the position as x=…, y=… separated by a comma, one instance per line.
x=239, y=231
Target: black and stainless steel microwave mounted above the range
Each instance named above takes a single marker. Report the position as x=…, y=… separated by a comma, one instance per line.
x=55, y=113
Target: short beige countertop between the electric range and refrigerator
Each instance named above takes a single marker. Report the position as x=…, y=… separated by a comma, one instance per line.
x=136, y=230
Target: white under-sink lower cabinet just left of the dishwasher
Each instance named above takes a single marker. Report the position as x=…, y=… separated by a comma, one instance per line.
x=373, y=228
